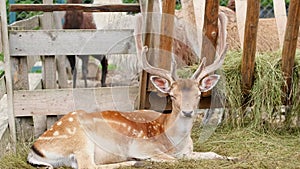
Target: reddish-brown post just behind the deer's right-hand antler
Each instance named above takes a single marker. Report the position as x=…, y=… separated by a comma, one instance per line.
x=210, y=30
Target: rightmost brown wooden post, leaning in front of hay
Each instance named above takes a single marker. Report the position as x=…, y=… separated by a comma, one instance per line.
x=290, y=44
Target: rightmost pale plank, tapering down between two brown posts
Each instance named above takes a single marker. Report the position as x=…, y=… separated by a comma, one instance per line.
x=280, y=16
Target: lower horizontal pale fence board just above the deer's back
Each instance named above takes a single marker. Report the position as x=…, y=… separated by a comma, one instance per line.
x=62, y=101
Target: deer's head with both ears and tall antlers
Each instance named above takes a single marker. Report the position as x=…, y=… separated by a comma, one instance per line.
x=185, y=93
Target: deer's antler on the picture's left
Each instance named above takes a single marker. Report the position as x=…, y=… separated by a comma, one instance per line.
x=142, y=52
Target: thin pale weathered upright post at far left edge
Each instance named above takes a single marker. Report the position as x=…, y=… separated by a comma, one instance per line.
x=9, y=83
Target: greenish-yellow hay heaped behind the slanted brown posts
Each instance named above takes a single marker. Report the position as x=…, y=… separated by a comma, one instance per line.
x=265, y=99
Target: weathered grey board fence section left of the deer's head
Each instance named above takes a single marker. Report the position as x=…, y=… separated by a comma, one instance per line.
x=26, y=44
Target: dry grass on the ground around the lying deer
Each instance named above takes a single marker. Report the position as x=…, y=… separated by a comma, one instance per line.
x=255, y=150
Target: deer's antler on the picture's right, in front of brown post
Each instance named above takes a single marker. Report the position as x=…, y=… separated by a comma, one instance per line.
x=203, y=70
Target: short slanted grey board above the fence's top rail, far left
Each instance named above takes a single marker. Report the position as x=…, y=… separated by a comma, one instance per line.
x=27, y=24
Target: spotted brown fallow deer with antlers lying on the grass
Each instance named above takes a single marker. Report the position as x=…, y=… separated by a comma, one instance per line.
x=112, y=138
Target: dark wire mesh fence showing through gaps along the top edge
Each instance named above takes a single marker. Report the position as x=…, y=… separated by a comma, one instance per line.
x=266, y=7
